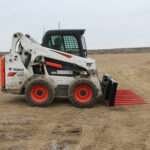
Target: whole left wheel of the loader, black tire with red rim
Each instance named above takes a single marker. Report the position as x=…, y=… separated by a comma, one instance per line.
x=39, y=92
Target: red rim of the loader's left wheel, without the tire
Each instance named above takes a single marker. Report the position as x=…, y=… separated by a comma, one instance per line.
x=39, y=93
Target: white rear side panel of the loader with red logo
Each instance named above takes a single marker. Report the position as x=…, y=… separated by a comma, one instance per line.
x=16, y=73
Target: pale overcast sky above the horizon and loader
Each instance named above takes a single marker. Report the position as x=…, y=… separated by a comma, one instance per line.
x=108, y=23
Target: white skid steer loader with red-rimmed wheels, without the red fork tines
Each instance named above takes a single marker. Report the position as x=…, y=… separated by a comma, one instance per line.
x=56, y=69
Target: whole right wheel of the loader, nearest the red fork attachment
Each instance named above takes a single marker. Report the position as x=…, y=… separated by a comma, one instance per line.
x=82, y=93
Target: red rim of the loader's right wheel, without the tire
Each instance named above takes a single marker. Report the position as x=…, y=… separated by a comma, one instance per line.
x=83, y=93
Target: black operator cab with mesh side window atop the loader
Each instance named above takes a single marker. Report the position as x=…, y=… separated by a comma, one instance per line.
x=69, y=41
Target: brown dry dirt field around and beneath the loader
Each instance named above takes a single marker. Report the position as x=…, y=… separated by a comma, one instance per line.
x=63, y=127
